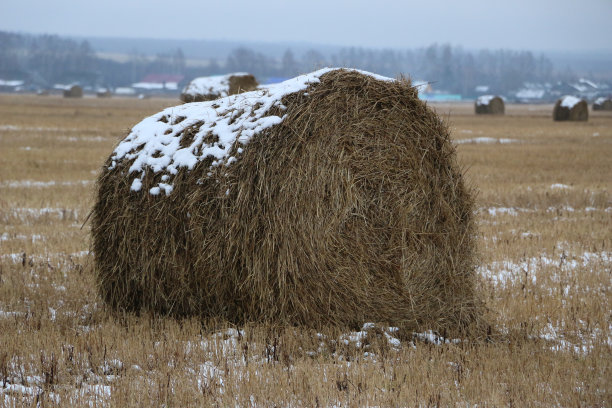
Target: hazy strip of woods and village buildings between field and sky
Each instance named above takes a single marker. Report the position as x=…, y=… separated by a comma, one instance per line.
x=47, y=65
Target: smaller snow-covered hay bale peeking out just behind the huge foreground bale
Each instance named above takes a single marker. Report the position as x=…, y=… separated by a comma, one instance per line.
x=214, y=87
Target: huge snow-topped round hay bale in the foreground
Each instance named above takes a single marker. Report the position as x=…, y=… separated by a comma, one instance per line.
x=333, y=198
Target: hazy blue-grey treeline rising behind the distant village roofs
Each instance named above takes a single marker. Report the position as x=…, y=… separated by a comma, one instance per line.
x=48, y=59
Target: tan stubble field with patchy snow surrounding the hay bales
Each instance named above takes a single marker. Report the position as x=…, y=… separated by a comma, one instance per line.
x=544, y=211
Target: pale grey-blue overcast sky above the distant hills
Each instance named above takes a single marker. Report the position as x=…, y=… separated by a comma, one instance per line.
x=517, y=24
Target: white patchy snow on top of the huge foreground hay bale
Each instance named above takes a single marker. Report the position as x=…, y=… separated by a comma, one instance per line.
x=155, y=143
